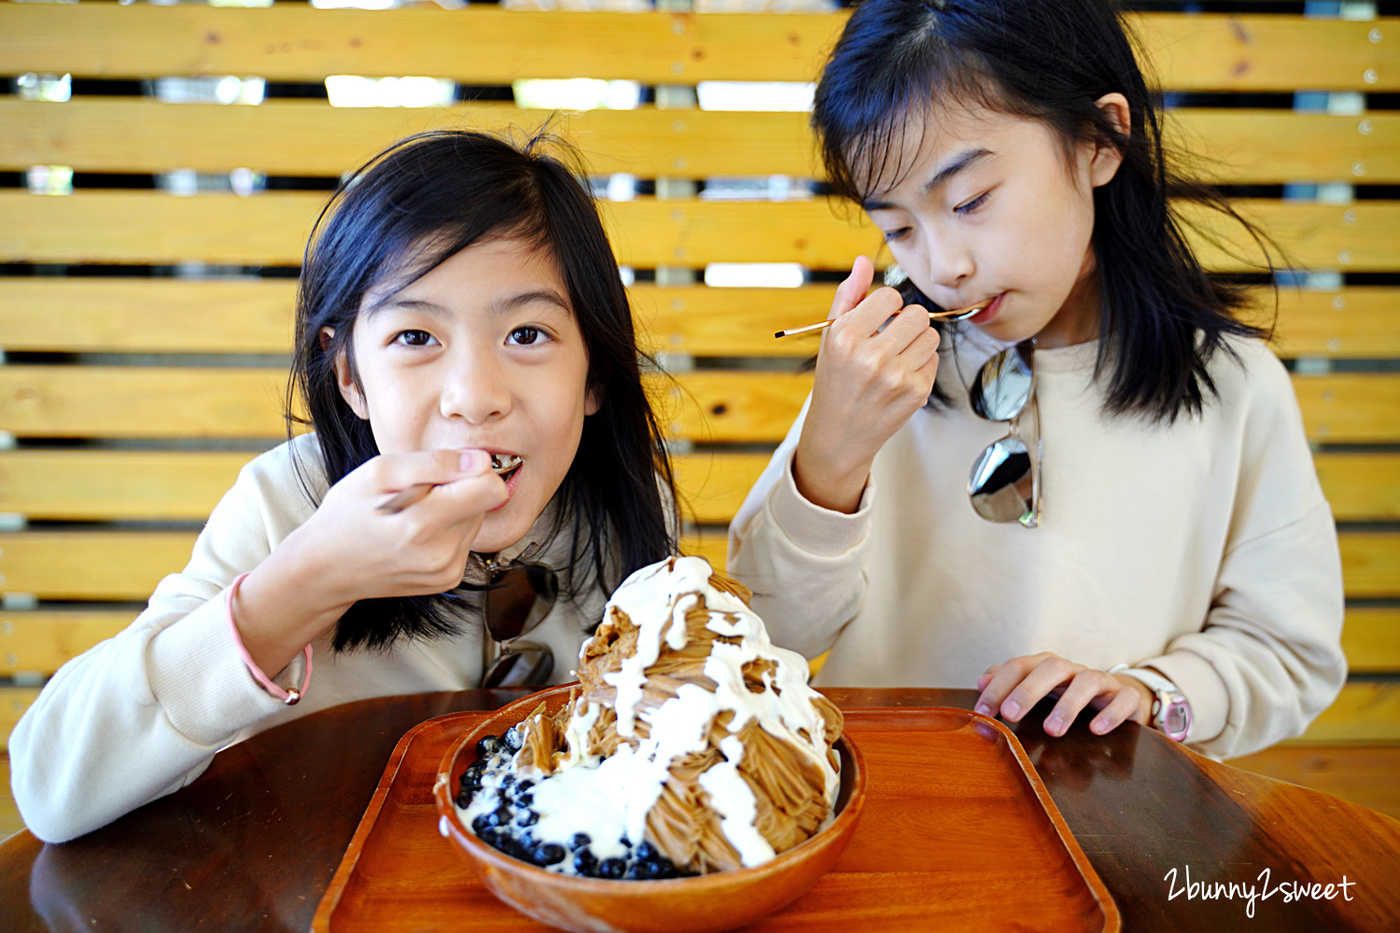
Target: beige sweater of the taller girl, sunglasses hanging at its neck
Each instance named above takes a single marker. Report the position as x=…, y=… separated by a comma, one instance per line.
x=1203, y=548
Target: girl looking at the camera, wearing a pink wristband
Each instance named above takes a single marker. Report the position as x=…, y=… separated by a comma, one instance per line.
x=485, y=469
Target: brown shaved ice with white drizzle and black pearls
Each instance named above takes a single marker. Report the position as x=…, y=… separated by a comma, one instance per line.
x=692, y=745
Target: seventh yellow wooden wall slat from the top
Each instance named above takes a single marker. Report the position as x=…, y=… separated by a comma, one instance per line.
x=127, y=565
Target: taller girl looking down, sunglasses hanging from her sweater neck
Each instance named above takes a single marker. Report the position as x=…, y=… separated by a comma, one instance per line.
x=1095, y=485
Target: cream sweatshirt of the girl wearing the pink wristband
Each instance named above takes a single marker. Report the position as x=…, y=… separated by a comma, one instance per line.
x=143, y=714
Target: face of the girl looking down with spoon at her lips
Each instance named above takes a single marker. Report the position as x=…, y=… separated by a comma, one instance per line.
x=990, y=207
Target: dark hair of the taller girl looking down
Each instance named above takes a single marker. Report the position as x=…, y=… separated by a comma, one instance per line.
x=1163, y=316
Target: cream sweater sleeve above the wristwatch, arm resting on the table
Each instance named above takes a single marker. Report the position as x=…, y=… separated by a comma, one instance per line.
x=1269, y=658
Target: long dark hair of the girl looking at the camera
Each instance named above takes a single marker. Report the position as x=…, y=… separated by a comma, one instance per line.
x=404, y=214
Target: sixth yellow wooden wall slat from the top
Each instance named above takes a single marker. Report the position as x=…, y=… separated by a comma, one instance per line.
x=100, y=485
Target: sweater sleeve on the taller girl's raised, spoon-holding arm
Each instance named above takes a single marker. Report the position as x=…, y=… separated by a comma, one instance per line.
x=815, y=558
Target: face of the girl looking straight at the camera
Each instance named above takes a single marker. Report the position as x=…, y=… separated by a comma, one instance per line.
x=482, y=352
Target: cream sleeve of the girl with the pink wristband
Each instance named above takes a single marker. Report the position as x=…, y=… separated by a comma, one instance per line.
x=142, y=715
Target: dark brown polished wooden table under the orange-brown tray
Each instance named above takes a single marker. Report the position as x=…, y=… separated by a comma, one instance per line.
x=254, y=843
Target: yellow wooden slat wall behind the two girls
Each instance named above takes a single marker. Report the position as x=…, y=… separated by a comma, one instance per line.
x=164, y=435
